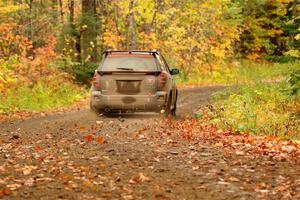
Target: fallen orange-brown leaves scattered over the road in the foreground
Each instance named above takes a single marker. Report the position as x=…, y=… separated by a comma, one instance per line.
x=145, y=153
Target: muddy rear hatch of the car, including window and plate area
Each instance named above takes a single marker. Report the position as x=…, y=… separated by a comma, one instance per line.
x=129, y=74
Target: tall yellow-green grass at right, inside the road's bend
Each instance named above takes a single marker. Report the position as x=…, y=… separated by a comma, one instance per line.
x=260, y=109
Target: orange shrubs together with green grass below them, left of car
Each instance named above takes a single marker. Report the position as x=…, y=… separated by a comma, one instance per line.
x=29, y=79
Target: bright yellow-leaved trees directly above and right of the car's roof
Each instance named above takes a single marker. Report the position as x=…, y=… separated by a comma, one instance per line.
x=190, y=33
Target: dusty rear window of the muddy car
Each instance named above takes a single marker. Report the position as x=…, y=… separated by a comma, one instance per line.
x=129, y=62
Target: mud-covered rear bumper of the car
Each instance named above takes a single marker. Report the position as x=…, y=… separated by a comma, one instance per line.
x=154, y=102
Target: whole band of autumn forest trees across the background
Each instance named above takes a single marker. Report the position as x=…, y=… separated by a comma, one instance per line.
x=199, y=37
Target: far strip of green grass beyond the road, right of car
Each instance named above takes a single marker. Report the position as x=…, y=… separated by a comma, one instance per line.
x=243, y=72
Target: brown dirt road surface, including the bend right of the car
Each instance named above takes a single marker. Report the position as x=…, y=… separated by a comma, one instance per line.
x=79, y=155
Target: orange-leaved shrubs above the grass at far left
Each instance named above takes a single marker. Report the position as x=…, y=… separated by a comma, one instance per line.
x=24, y=65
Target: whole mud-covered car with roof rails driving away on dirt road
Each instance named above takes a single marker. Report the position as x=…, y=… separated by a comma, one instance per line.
x=131, y=81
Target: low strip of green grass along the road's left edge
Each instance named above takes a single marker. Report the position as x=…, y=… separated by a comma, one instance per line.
x=42, y=96
